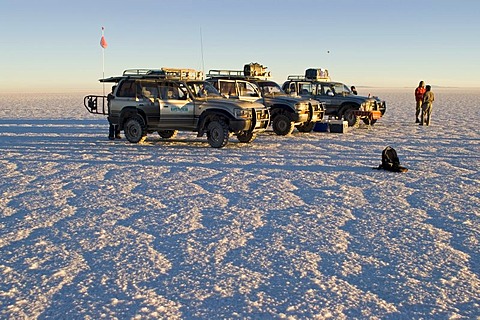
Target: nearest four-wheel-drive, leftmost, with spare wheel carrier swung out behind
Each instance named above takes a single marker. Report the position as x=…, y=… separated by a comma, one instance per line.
x=144, y=101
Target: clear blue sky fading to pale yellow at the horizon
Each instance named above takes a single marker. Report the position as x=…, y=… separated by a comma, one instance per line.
x=53, y=46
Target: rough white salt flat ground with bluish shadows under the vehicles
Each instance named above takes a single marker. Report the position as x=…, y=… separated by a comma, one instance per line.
x=285, y=227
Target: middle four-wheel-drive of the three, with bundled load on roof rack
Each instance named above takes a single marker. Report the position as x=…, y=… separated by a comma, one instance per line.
x=252, y=84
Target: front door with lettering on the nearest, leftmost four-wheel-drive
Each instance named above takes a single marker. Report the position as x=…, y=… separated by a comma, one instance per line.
x=176, y=107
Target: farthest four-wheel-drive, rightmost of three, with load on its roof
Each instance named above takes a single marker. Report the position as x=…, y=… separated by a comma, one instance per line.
x=340, y=102
